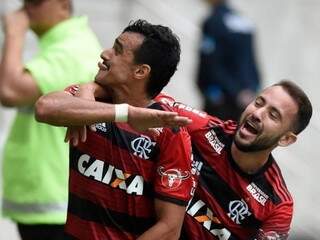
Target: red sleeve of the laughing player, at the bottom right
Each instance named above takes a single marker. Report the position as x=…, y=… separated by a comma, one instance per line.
x=278, y=224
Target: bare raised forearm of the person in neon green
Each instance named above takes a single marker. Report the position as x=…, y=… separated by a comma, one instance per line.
x=11, y=67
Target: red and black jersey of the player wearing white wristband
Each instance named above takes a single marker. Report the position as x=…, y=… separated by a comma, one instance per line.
x=116, y=174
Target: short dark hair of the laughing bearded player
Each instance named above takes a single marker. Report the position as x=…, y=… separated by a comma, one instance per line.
x=304, y=105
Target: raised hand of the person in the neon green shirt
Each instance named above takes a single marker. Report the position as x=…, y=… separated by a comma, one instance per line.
x=16, y=23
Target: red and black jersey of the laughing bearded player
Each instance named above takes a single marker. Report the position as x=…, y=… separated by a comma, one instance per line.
x=229, y=203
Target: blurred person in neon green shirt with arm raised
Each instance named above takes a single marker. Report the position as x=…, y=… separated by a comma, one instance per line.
x=35, y=162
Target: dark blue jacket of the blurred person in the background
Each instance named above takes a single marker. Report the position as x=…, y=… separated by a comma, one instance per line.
x=227, y=62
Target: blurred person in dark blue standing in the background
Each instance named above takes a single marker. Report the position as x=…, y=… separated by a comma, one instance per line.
x=227, y=75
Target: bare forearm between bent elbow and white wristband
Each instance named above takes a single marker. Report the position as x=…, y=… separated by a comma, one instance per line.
x=62, y=109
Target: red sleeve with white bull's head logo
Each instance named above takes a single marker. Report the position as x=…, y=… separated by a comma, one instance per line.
x=173, y=181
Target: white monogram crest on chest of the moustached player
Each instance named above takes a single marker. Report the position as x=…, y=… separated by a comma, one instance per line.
x=142, y=147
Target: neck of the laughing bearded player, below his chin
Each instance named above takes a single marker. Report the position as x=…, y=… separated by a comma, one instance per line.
x=249, y=162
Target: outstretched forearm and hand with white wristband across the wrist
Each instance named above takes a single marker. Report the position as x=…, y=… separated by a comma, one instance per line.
x=63, y=109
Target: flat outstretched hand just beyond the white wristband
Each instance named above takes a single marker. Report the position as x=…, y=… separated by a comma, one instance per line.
x=143, y=119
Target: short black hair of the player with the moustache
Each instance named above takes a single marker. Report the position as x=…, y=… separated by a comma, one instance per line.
x=160, y=49
